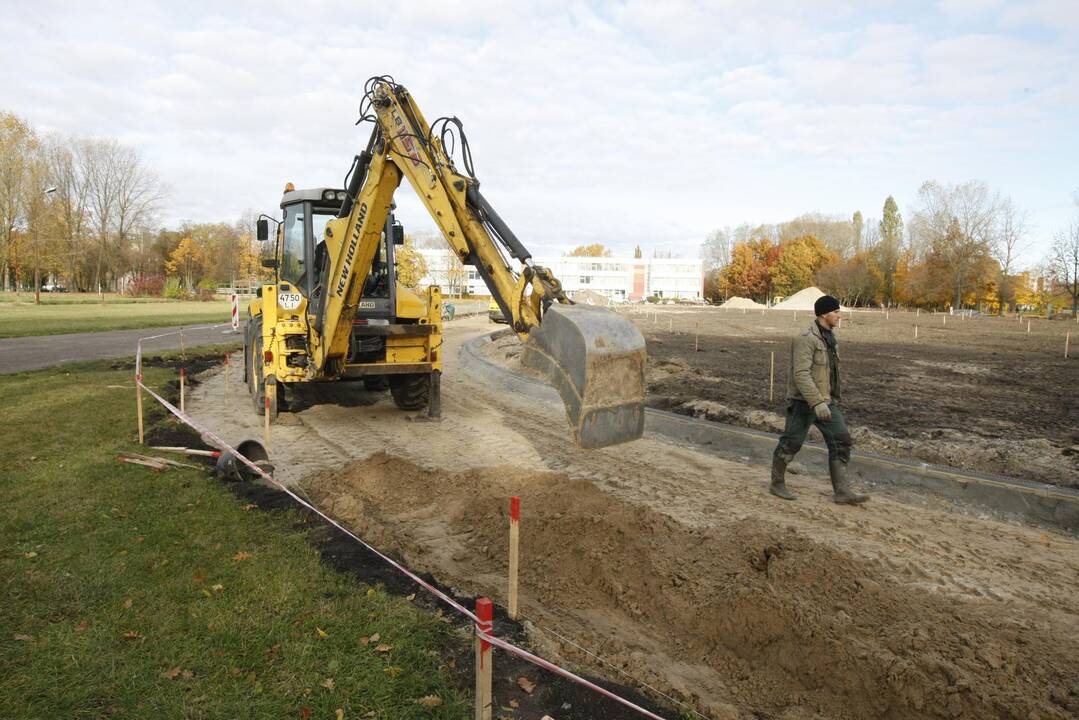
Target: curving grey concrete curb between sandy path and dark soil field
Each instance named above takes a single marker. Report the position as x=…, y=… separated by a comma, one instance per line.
x=1033, y=504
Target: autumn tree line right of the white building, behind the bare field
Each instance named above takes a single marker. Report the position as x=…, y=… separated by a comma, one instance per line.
x=960, y=248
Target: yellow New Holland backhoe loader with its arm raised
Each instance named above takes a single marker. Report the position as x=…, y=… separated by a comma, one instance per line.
x=337, y=313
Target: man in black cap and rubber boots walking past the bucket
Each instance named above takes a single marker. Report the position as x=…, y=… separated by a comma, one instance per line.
x=813, y=398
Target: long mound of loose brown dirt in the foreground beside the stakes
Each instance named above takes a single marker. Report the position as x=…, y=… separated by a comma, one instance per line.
x=742, y=618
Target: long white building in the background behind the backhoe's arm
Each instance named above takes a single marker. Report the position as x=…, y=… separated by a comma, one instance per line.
x=620, y=279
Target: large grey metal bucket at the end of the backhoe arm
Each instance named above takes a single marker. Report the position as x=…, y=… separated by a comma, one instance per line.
x=596, y=361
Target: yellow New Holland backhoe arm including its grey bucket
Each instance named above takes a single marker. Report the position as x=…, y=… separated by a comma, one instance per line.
x=594, y=358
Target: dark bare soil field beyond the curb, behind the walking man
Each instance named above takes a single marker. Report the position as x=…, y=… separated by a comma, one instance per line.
x=978, y=393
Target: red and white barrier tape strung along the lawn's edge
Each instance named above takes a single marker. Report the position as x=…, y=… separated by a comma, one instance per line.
x=481, y=630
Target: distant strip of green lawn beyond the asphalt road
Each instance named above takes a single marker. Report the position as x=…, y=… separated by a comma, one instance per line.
x=85, y=314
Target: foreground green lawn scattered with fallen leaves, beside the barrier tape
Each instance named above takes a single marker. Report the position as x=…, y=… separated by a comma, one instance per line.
x=133, y=594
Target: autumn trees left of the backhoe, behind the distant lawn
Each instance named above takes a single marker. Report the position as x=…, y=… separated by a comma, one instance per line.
x=83, y=213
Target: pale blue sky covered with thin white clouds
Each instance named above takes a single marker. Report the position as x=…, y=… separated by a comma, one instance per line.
x=640, y=123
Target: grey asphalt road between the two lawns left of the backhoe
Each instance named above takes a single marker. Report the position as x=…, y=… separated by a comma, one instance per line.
x=20, y=355
